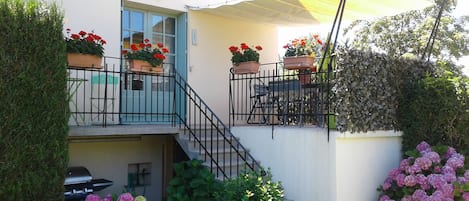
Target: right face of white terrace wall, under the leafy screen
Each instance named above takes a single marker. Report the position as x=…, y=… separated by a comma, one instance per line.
x=363, y=162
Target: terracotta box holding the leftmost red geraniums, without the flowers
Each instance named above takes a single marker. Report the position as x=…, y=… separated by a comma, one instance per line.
x=84, y=60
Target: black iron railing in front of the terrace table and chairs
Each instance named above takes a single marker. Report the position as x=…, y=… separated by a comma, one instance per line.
x=277, y=96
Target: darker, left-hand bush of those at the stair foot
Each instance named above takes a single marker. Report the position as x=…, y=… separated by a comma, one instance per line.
x=193, y=182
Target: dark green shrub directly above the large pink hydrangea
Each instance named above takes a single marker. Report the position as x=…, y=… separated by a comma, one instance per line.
x=433, y=110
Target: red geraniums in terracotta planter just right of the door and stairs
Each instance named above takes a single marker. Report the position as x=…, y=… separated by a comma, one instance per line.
x=245, y=59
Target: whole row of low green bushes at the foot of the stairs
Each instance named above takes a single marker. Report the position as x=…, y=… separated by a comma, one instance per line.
x=194, y=182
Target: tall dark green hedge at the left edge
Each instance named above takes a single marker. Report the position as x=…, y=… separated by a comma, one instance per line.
x=33, y=102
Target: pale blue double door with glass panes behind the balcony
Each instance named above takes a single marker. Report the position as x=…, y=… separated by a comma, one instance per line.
x=148, y=98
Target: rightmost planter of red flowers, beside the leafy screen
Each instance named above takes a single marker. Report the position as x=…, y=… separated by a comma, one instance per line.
x=300, y=53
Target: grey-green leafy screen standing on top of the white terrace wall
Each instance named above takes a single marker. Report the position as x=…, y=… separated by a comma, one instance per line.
x=367, y=86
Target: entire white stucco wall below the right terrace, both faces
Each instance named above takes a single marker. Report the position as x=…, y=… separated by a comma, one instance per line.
x=311, y=168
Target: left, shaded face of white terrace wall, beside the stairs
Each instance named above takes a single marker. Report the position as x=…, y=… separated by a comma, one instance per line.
x=298, y=157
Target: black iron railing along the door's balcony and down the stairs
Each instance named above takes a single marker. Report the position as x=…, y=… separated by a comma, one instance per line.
x=112, y=95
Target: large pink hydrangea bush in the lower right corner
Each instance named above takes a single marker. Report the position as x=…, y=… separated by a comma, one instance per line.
x=429, y=174
